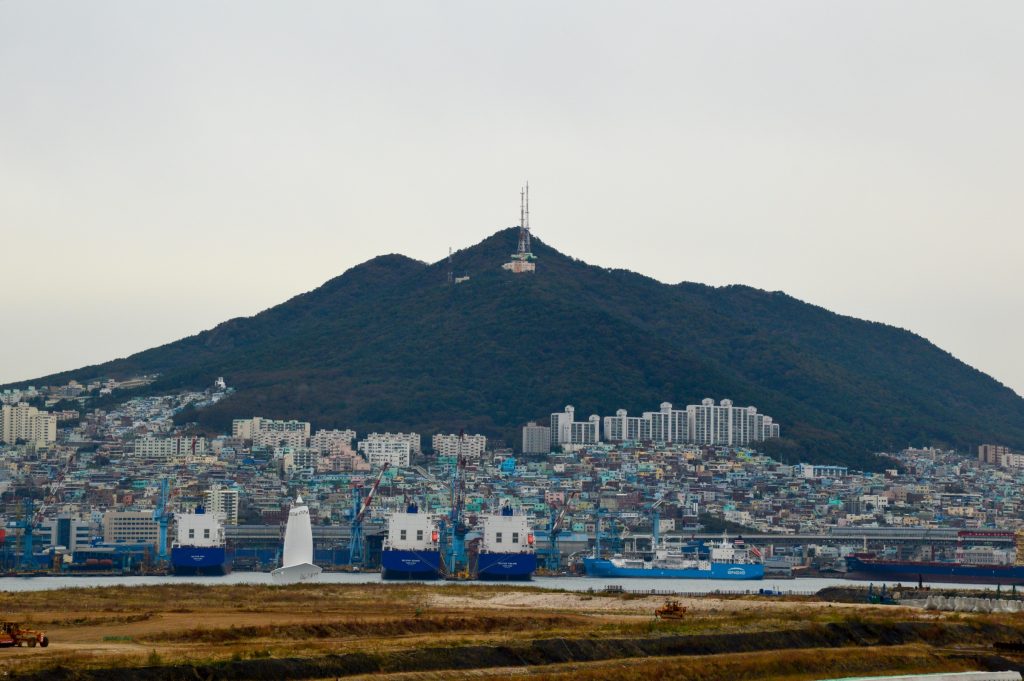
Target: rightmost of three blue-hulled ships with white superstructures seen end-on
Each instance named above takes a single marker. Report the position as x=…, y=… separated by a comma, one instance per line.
x=506, y=547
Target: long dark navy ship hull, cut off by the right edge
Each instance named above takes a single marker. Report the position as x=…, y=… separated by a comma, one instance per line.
x=892, y=571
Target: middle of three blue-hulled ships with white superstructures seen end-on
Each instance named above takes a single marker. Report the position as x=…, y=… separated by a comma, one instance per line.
x=412, y=550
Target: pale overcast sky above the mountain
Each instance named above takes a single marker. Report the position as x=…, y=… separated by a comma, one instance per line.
x=165, y=166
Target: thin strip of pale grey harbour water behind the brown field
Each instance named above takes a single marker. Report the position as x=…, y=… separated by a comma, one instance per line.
x=684, y=587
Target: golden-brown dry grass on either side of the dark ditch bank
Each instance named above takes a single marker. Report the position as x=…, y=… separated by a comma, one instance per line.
x=191, y=624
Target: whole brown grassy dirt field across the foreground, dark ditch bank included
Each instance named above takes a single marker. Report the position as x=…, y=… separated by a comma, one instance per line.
x=455, y=631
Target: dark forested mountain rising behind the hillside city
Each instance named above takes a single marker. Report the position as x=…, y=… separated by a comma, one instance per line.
x=391, y=346
